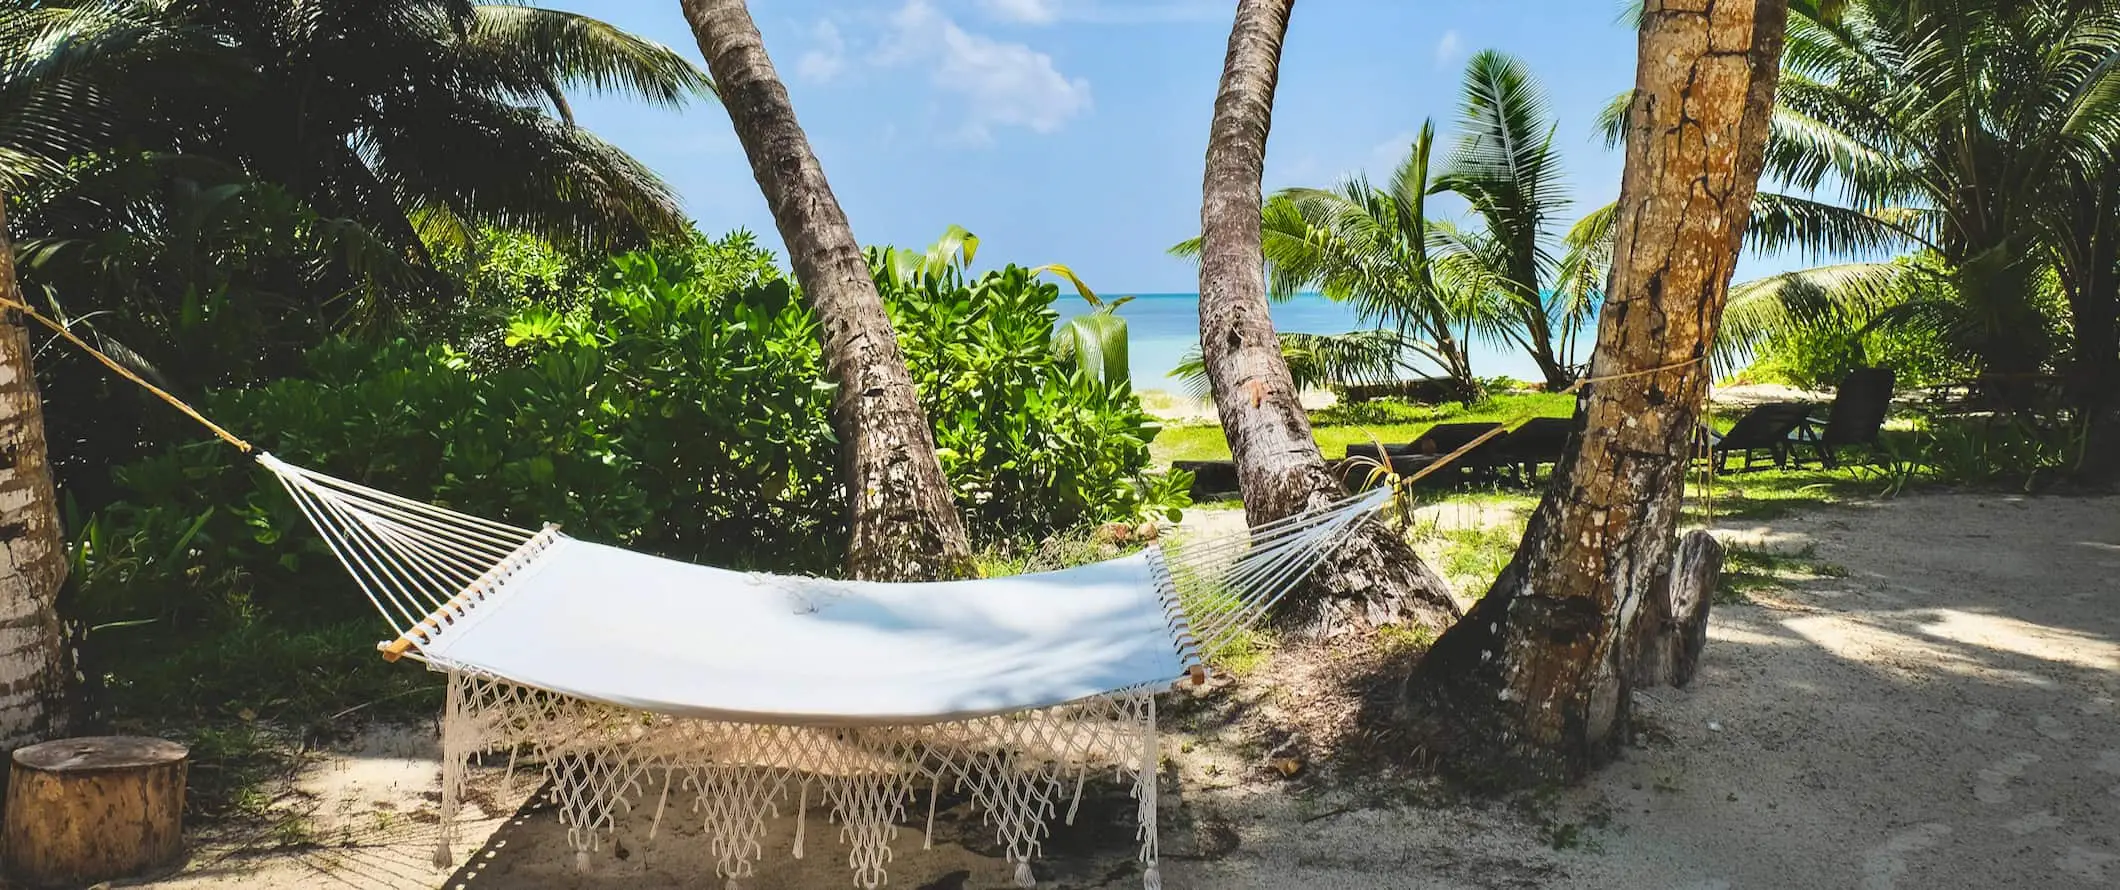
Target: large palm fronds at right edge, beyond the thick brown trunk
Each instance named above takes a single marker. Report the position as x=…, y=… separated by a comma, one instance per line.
x=1979, y=135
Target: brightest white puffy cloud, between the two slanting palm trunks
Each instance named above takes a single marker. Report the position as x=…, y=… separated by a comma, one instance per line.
x=1000, y=84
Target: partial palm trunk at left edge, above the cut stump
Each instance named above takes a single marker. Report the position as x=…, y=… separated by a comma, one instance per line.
x=33, y=558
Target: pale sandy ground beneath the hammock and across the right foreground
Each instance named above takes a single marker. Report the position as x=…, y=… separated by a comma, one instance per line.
x=1941, y=717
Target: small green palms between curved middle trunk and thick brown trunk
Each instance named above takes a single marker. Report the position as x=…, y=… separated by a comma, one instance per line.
x=1510, y=277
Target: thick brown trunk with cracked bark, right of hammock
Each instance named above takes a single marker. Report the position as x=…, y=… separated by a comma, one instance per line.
x=1534, y=686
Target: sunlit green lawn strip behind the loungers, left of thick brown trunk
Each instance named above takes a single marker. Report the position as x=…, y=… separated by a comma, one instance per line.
x=1390, y=423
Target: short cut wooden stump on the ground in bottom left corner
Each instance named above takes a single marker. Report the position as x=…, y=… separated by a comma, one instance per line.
x=94, y=808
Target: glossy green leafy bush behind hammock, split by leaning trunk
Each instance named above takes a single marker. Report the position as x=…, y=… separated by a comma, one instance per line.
x=677, y=408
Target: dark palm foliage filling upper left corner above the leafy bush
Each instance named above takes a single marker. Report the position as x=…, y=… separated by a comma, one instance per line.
x=211, y=190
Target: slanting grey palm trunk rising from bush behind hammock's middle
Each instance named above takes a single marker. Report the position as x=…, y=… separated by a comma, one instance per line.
x=904, y=524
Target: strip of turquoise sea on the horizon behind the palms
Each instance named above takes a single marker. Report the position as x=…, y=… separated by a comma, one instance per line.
x=1165, y=327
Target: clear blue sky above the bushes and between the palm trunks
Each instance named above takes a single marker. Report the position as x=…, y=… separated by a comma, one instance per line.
x=1074, y=130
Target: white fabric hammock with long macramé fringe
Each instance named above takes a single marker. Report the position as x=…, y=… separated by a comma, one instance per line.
x=629, y=675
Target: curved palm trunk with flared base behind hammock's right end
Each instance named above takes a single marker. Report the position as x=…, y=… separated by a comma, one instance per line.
x=1375, y=577
